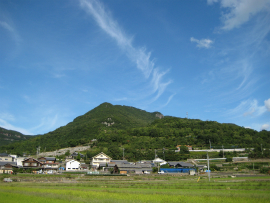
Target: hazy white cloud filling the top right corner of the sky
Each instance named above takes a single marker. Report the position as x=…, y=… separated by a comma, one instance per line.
x=239, y=12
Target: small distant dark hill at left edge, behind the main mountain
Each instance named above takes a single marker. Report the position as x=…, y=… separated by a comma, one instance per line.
x=9, y=136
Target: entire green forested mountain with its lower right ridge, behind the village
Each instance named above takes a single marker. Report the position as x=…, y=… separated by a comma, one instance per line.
x=116, y=127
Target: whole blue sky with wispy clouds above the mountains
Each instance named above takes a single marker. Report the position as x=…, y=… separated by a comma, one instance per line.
x=205, y=59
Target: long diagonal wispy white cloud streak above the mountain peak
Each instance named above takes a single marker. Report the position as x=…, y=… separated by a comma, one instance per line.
x=138, y=56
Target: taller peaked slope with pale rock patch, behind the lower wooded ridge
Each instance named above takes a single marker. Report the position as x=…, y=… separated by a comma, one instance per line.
x=105, y=117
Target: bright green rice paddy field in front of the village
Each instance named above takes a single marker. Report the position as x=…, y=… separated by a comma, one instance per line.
x=137, y=188
